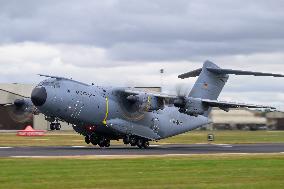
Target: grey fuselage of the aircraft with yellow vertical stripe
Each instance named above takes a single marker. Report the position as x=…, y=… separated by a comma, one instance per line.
x=105, y=108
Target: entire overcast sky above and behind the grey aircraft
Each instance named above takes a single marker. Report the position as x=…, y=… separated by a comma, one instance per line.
x=127, y=42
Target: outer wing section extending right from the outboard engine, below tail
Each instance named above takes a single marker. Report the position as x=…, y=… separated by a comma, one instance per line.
x=226, y=105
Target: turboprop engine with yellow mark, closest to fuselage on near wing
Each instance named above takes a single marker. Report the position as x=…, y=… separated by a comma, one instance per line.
x=146, y=103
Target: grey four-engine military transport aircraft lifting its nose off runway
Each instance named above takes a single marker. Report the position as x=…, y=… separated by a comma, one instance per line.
x=102, y=114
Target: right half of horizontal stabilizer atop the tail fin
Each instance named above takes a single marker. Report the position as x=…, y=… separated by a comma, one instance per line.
x=240, y=72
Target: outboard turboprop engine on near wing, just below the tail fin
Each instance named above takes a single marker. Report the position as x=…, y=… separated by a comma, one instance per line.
x=190, y=106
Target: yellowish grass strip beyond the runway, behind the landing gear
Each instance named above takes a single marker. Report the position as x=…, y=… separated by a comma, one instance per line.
x=72, y=138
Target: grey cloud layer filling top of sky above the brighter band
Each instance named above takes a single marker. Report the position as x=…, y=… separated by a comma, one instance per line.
x=149, y=30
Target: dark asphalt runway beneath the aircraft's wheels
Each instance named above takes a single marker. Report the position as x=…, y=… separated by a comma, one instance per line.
x=119, y=150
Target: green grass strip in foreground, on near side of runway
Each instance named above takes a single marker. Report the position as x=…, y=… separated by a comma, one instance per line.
x=216, y=172
